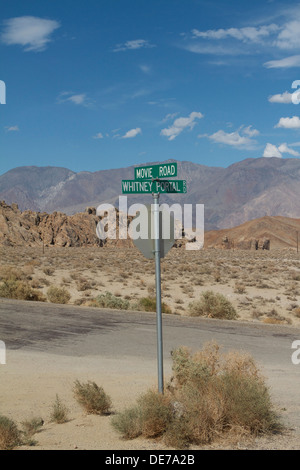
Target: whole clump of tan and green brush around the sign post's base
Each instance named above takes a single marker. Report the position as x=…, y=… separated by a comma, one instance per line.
x=211, y=395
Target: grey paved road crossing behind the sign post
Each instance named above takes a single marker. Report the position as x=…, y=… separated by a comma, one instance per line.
x=77, y=331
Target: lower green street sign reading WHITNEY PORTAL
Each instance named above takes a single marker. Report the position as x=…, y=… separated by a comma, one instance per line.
x=149, y=187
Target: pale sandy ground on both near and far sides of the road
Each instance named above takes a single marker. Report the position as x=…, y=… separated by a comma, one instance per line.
x=264, y=287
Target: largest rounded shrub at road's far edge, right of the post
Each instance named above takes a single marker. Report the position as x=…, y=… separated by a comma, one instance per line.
x=213, y=306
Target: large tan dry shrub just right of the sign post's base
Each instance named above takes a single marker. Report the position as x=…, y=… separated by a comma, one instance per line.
x=221, y=392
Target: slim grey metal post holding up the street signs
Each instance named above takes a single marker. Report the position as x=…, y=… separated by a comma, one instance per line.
x=158, y=292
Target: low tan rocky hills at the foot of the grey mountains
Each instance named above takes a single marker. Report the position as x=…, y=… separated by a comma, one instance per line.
x=58, y=229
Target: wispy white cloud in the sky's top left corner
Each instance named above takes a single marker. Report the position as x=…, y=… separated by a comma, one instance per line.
x=31, y=32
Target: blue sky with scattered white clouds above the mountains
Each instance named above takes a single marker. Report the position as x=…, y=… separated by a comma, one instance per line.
x=106, y=84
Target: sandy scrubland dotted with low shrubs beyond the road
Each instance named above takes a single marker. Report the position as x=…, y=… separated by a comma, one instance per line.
x=260, y=286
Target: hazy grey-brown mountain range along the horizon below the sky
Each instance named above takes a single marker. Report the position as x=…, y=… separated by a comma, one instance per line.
x=249, y=189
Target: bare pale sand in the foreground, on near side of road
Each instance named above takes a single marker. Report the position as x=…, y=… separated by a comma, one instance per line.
x=30, y=384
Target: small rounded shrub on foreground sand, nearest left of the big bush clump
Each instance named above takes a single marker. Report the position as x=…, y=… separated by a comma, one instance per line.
x=92, y=398
